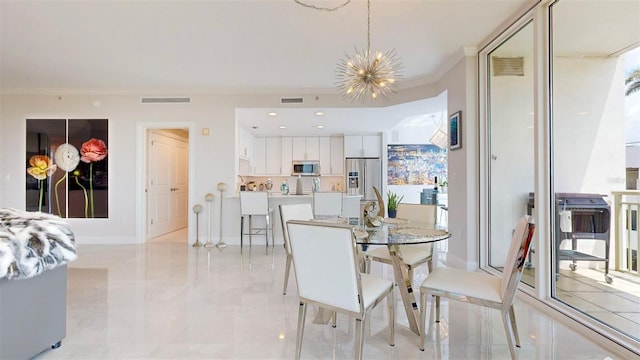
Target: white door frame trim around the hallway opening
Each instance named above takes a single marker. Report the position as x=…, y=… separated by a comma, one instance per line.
x=141, y=174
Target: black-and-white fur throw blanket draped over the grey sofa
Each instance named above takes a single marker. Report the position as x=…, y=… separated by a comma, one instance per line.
x=33, y=242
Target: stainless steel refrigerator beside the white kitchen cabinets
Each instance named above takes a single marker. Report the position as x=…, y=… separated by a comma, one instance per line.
x=362, y=175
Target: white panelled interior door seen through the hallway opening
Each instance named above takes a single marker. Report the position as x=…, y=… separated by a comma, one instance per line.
x=167, y=183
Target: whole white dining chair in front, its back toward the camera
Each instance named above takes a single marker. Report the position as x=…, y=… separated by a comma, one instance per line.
x=327, y=275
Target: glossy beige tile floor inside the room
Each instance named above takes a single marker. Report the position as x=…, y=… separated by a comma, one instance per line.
x=168, y=300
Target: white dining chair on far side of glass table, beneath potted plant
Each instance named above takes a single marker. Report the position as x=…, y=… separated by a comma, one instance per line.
x=412, y=255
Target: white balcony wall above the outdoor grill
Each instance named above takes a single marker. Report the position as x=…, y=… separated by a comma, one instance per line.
x=589, y=126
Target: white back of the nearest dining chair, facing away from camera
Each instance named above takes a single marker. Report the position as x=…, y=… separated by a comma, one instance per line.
x=324, y=258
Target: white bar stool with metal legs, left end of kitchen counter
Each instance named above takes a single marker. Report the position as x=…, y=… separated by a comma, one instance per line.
x=255, y=203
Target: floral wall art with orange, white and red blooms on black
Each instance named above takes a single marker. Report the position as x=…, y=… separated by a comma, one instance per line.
x=67, y=167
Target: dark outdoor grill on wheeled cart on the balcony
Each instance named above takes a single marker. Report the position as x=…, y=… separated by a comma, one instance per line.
x=580, y=217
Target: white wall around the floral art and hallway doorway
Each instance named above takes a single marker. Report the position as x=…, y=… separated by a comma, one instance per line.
x=214, y=157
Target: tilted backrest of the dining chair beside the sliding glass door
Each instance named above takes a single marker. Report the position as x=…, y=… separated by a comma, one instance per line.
x=516, y=257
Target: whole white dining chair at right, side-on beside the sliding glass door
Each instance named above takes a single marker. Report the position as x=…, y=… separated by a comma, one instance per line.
x=482, y=288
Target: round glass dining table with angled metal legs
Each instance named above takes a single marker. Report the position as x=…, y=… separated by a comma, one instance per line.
x=395, y=233
